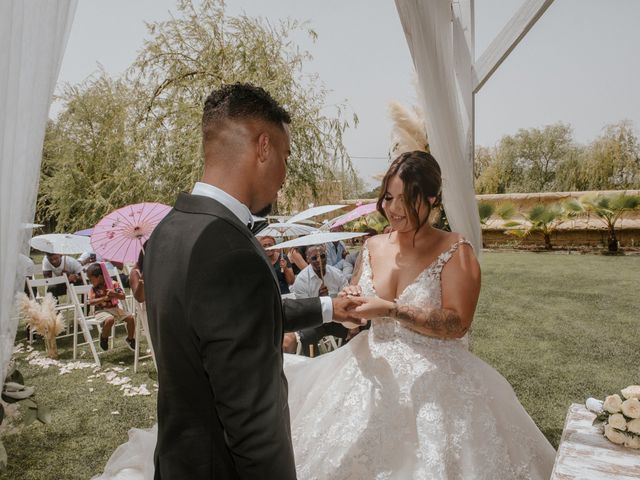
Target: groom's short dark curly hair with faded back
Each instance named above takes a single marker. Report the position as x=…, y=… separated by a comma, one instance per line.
x=239, y=101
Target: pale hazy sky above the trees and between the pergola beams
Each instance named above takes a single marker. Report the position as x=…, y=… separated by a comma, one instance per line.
x=579, y=64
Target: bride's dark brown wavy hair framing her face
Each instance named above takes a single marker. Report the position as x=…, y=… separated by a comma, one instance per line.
x=421, y=179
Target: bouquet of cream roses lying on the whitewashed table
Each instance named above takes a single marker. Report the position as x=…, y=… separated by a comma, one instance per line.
x=620, y=416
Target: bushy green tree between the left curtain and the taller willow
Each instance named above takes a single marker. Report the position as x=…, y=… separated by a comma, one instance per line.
x=90, y=165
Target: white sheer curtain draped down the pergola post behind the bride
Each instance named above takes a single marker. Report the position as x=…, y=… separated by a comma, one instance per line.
x=428, y=28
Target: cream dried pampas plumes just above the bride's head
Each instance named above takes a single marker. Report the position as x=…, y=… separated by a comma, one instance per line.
x=408, y=132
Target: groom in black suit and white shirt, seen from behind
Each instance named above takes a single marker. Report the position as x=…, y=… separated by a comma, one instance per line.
x=214, y=307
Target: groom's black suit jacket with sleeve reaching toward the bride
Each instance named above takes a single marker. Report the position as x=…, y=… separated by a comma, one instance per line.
x=216, y=321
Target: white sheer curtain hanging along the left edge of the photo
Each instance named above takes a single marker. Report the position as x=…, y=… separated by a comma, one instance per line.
x=33, y=37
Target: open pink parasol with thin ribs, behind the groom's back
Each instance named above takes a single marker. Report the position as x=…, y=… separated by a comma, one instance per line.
x=119, y=236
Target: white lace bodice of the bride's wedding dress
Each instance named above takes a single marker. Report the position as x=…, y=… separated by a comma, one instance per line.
x=425, y=290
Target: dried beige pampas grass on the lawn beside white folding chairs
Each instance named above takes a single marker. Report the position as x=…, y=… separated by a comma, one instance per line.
x=43, y=319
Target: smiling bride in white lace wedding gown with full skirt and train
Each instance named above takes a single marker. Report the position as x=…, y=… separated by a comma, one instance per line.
x=405, y=399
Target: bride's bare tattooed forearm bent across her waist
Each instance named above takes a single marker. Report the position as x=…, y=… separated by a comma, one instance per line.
x=433, y=322
